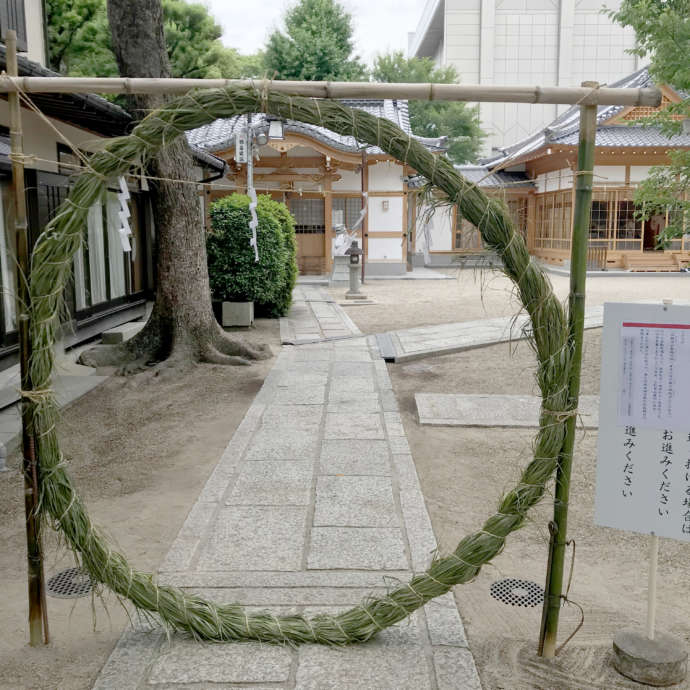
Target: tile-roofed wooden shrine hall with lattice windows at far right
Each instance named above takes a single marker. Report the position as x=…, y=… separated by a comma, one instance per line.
x=626, y=149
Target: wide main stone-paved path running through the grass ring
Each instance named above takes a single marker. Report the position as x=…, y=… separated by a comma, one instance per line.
x=314, y=505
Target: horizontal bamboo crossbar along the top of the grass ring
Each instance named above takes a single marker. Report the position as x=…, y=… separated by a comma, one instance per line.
x=327, y=89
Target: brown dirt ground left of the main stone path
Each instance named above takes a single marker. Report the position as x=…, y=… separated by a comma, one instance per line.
x=140, y=452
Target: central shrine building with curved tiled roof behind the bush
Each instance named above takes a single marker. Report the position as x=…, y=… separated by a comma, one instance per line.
x=325, y=178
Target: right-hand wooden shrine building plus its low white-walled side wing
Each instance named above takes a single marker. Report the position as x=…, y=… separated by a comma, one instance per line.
x=535, y=176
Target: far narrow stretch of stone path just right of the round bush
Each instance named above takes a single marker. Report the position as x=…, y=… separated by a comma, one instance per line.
x=315, y=317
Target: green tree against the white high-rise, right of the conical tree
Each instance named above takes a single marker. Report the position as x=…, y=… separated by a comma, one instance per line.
x=457, y=121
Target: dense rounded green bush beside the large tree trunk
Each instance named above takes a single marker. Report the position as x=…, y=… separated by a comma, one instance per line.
x=233, y=272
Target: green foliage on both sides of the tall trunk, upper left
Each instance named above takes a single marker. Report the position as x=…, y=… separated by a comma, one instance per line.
x=79, y=41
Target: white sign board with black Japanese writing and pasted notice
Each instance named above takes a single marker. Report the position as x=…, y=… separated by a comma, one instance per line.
x=643, y=464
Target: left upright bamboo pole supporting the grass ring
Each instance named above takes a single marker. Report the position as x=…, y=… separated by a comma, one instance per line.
x=38, y=618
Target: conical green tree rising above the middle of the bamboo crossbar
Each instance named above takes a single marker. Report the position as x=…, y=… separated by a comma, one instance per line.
x=317, y=44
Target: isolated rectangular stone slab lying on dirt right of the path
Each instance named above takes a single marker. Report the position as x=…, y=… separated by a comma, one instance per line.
x=453, y=409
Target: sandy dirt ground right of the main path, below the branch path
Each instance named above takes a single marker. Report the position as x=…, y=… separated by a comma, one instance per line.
x=464, y=472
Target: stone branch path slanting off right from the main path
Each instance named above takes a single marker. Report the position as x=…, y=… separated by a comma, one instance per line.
x=429, y=341
